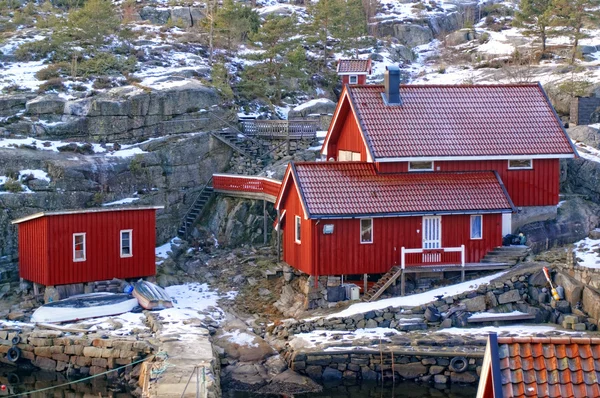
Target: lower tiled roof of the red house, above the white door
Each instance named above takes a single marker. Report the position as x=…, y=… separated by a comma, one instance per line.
x=355, y=188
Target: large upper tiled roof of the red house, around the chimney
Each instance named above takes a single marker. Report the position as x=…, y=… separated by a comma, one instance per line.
x=474, y=120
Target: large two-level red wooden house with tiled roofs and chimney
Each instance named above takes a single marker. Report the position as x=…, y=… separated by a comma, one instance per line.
x=435, y=173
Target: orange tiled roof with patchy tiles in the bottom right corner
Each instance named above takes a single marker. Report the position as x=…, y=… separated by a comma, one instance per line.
x=555, y=367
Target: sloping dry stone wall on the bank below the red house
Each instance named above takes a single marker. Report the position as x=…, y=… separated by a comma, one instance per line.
x=523, y=290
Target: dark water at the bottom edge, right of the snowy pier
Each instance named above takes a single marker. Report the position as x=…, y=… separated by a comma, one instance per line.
x=372, y=390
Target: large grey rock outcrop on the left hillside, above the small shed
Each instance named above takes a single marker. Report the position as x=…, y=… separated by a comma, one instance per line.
x=125, y=114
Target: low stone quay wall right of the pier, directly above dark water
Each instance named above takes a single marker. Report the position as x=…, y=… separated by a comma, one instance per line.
x=370, y=364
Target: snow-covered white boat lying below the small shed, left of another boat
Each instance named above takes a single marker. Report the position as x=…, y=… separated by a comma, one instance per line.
x=84, y=306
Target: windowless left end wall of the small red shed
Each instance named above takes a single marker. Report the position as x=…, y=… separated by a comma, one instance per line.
x=33, y=250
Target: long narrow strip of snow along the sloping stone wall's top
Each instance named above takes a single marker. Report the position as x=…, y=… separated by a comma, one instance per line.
x=417, y=299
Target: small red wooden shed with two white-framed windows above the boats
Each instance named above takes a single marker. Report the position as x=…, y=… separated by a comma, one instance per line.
x=78, y=246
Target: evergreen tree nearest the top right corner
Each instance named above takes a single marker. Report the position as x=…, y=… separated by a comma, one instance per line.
x=573, y=15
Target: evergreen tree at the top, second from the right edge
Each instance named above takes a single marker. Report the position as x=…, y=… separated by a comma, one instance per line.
x=535, y=16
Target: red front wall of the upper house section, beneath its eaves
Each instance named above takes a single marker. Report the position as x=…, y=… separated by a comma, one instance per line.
x=536, y=187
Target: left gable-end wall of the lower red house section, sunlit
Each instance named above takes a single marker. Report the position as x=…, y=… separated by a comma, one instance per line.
x=298, y=255
